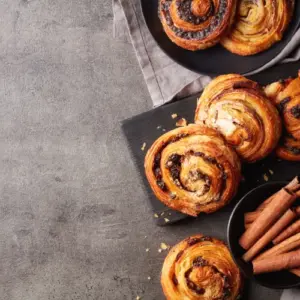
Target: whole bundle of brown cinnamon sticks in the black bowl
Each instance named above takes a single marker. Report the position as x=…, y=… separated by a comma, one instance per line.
x=275, y=221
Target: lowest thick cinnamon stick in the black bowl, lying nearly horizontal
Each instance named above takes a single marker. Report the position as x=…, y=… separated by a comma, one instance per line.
x=285, y=261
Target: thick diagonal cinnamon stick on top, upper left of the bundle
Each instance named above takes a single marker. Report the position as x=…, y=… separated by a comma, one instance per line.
x=281, y=202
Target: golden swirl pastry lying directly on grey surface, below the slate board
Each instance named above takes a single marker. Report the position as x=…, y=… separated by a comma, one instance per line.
x=201, y=268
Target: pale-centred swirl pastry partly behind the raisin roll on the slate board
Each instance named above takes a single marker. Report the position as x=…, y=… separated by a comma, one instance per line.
x=238, y=108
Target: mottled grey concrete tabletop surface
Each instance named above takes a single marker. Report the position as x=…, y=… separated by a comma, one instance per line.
x=73, y=220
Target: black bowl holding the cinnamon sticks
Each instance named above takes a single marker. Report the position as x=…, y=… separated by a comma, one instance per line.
x=276, y=280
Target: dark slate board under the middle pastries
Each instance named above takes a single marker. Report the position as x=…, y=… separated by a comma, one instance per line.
x=147, y=127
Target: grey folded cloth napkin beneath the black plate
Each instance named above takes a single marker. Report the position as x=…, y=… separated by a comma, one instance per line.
x=157, y=67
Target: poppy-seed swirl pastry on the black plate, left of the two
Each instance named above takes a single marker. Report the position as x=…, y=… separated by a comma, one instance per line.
x=195, y=24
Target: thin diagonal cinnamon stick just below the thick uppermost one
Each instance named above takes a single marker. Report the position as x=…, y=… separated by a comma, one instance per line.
x=284, y=221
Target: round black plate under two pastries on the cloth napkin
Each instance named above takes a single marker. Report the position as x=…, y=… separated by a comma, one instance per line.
x=215, y=60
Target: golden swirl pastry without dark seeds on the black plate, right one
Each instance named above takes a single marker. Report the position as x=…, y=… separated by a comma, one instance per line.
x=258, y=25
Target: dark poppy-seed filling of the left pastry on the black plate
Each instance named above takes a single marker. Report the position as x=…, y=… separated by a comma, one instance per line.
x=185, y=13
